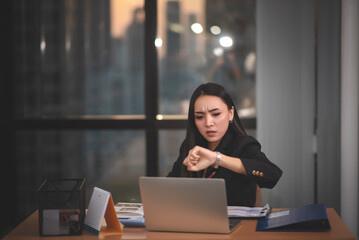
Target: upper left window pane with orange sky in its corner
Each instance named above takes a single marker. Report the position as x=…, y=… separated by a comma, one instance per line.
x=75, y=58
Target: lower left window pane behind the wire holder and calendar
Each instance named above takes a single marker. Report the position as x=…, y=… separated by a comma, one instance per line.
x=111, y=160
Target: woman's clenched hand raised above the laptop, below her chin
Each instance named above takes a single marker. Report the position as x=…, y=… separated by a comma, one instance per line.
x=200, y=158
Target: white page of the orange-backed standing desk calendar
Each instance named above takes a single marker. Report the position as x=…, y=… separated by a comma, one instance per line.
x=97, y=208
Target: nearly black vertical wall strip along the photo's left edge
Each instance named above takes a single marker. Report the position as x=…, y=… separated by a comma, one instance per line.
x=7, y=169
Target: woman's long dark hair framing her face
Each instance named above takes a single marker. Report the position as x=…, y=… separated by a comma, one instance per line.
x=193, y=137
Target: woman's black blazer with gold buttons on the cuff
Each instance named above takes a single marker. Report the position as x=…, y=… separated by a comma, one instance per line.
x=241, y=189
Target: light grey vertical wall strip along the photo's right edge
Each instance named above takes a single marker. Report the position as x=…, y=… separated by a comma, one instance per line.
x=349, y=114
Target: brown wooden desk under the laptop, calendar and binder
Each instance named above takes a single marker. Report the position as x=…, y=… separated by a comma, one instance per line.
x=29, y=230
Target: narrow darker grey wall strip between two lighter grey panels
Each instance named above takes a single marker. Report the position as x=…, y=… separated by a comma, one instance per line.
x=328, y=103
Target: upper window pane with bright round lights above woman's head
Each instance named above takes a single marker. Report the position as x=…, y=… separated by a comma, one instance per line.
x=206, y=41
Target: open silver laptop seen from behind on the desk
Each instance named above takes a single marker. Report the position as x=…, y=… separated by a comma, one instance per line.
x=185, y=205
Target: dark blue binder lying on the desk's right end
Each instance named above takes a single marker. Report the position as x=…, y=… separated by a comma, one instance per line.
x=309, y=218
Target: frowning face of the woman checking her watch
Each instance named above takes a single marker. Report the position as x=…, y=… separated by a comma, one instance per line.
x=212, y=118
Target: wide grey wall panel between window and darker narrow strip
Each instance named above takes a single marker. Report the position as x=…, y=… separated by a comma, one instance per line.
x=286, y=96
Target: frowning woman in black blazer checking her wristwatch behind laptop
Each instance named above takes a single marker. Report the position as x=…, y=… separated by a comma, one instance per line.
x=216, y=145
